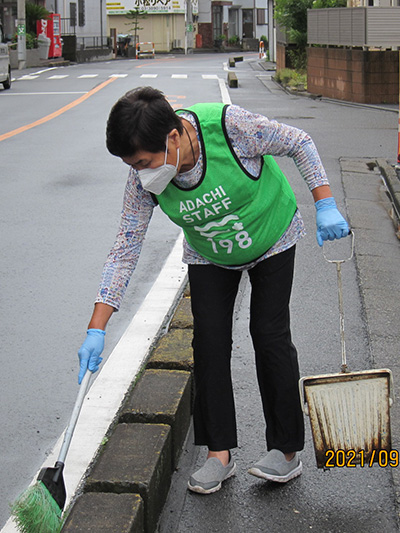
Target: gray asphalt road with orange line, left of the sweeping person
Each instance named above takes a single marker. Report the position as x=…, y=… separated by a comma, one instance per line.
x=61, y=195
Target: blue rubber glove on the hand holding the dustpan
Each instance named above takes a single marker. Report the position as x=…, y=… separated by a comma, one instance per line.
x=330, y=223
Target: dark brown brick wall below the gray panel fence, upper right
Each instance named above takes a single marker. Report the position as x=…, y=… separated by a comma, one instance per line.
x=363, y=76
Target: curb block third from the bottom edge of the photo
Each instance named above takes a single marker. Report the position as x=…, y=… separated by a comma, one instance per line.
x=162, y=397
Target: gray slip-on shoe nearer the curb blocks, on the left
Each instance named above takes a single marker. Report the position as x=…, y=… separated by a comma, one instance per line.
x=211, y=475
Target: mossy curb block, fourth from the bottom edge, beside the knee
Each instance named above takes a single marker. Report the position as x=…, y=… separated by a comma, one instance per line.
x=174, y=351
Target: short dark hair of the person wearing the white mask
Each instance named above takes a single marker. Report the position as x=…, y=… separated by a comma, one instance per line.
x=140, y=120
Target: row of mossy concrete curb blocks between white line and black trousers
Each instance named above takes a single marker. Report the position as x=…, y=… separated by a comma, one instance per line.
x=129, y=480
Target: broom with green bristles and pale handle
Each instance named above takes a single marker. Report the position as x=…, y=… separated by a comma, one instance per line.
x=39, y=508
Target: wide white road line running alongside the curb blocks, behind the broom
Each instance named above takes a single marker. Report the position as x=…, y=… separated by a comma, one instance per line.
x=121, y=368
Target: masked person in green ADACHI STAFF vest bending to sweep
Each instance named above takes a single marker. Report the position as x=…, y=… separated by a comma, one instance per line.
x=210, y=169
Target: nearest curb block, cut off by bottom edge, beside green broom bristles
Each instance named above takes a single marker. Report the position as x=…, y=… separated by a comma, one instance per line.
x=100, y=512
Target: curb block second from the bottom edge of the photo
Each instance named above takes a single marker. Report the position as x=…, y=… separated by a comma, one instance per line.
x=136, y=459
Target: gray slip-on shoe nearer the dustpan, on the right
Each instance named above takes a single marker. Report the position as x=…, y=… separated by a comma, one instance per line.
x=275, y=467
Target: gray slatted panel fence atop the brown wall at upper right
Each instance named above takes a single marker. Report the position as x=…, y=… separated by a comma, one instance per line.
x=371, y=27
